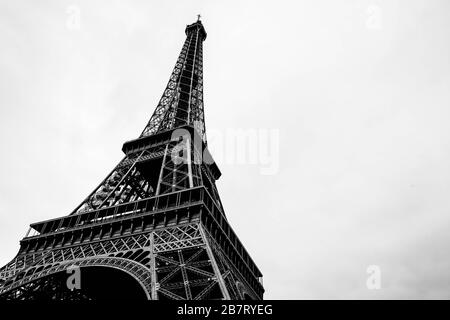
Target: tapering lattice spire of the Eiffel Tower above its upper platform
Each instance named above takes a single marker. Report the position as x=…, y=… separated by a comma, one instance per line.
x=182, y=101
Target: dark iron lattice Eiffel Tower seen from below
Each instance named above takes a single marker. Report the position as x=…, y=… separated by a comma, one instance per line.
x=155, y=227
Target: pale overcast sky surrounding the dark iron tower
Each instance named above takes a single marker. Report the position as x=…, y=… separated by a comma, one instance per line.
x=359, y=92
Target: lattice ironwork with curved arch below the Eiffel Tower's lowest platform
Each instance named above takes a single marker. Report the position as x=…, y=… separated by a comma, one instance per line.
x=180, y=262
